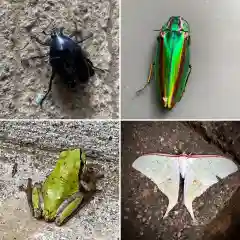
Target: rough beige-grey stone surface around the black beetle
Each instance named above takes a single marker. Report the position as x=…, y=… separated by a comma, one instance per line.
x=23, y=78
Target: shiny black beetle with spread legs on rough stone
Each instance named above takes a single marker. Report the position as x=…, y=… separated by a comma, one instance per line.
x=67, y=59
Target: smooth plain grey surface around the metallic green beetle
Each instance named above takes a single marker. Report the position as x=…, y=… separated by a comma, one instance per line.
x=213, y=86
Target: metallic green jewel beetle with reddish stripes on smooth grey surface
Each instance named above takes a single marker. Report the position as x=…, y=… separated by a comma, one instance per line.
x=171, y=65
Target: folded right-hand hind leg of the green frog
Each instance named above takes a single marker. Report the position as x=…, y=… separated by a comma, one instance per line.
x=69, y=207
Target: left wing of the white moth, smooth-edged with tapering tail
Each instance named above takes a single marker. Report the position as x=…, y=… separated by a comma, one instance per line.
x=164, y=172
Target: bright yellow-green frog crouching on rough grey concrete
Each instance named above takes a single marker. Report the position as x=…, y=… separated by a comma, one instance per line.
x=69, y=187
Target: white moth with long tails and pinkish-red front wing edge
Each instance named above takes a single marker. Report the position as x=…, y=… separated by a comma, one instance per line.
x=198, y=171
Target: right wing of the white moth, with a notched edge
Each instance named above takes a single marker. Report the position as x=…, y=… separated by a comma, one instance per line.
x=202, y=173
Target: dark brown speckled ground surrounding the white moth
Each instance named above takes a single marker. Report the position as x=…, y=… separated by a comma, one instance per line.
x=143, y=205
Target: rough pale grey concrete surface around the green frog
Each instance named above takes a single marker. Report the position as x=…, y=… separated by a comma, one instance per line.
x=34, y=146
